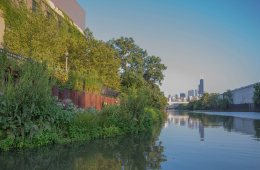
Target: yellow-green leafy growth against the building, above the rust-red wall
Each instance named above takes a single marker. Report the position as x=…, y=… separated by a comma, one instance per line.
x=45, y=36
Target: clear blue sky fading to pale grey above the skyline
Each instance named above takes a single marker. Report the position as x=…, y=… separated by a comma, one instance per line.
x=216, y=39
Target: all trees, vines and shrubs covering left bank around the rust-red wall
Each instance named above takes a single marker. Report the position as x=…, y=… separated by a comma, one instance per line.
x=30, y=116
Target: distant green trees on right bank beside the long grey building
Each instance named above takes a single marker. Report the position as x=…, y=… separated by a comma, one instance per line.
x=211, y=101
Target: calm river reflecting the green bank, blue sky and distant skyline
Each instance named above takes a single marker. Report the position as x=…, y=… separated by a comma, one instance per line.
x=210, y=141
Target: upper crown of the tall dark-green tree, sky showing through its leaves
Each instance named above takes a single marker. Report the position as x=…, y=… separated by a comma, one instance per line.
x=136, y=65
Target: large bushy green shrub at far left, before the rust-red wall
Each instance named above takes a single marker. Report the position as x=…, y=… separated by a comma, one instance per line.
x=27, y=107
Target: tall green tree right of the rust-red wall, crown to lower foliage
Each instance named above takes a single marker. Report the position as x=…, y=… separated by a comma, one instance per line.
x=139, y=70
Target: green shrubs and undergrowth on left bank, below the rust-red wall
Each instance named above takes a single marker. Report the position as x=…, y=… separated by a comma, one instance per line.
x=29, y=116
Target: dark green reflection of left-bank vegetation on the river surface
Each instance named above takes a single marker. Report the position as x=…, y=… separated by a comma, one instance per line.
x=140, y=152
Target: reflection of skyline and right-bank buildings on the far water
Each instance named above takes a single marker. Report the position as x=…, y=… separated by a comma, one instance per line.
x=201, y=121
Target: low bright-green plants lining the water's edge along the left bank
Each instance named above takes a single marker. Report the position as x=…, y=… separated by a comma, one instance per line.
x=88, y=125
